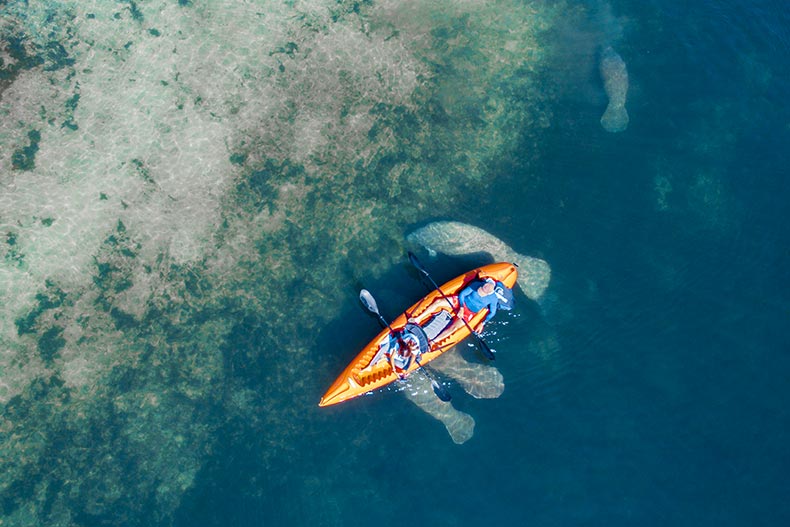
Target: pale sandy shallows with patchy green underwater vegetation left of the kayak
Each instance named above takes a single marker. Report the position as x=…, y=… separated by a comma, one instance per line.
x=187, y=190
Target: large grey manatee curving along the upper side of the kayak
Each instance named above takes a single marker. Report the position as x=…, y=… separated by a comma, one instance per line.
x=455, y=239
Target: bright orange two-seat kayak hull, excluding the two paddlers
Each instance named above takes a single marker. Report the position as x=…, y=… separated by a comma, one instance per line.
x=372, y=369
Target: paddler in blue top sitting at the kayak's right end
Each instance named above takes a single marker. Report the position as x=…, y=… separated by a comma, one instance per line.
x=474, y=297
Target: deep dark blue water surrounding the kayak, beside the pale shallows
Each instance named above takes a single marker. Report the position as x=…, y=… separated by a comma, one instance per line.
x=650, y=386
